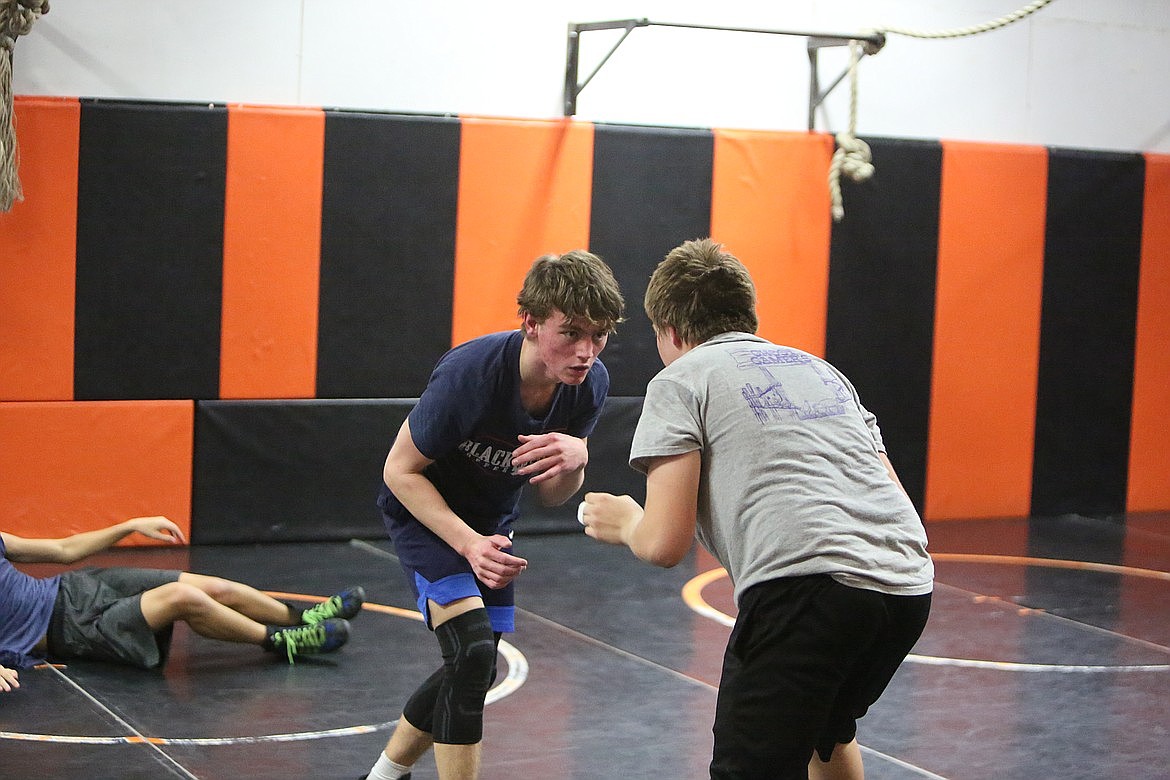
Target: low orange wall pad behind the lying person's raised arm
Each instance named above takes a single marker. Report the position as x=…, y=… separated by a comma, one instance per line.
x=70, y=467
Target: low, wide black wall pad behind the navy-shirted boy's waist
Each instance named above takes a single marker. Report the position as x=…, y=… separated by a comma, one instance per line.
x=306, y=471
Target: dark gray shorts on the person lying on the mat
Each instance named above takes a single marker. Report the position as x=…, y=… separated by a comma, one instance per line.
x=99, y=616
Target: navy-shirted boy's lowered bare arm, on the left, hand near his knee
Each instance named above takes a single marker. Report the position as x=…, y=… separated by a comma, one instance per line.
x=403, y=474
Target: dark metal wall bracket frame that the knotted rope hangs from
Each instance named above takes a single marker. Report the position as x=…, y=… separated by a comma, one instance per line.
x=873, y=44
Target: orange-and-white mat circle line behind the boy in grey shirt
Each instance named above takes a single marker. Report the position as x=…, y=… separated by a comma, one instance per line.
x=693, y=597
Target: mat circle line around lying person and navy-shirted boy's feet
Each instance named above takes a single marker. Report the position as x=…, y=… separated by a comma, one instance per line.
x=518, y=674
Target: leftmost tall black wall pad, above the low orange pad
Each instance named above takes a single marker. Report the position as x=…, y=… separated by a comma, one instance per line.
x=150, y=249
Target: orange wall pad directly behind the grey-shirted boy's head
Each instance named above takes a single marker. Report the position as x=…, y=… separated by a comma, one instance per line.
x=770, y=208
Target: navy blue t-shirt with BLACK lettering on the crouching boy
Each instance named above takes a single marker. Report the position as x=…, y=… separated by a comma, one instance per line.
x=469, y=422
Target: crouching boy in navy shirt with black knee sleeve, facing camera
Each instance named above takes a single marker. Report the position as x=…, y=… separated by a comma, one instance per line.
x=500, y=412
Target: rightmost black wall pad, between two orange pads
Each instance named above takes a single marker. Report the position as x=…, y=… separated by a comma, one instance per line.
x=1089, y=319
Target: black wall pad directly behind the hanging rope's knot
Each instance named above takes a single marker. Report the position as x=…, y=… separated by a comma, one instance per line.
x=882, y=298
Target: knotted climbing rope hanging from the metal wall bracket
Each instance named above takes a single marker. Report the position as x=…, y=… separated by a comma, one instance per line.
x=852, y=156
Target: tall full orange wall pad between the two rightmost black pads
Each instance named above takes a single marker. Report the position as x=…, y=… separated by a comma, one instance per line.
x=992, y=240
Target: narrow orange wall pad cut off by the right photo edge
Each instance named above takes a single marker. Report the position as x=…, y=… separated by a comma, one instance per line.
x=1150, y=464
